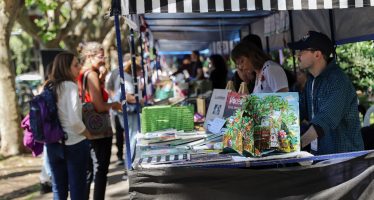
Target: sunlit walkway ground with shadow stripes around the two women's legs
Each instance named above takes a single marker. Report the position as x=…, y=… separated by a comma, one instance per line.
x=19, y=179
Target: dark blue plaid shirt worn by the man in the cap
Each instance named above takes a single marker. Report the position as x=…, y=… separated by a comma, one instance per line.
x=335, y=111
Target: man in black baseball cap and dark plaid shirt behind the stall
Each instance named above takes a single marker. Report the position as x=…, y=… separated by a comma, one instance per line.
x=330, y=104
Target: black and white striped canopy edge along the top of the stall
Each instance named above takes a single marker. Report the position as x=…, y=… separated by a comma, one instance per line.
x=204, y=6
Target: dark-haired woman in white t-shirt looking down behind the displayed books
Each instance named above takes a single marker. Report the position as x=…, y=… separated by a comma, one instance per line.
x=270, y=76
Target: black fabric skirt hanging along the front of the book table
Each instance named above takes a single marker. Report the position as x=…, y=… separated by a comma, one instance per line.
x=350, y=179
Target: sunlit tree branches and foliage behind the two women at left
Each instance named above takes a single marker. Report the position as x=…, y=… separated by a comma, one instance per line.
x=60, y=24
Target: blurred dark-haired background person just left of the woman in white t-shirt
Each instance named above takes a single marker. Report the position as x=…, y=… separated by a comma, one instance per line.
x=218, y=74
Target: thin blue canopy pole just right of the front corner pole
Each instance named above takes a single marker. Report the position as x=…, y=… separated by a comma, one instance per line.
x=134, y=76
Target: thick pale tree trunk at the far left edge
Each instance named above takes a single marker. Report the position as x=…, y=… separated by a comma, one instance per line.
x=9, y=119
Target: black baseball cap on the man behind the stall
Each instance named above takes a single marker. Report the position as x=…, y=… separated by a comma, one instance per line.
x=314, y=40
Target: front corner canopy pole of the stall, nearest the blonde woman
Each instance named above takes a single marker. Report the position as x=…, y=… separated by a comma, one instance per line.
x=117, y=11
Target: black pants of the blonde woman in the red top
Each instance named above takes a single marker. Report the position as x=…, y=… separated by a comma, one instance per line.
x=98, y=166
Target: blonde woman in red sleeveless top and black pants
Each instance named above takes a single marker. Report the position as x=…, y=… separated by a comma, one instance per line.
x=93, y=69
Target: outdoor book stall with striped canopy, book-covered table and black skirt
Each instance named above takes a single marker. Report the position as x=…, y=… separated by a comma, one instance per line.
x=250, y=147
